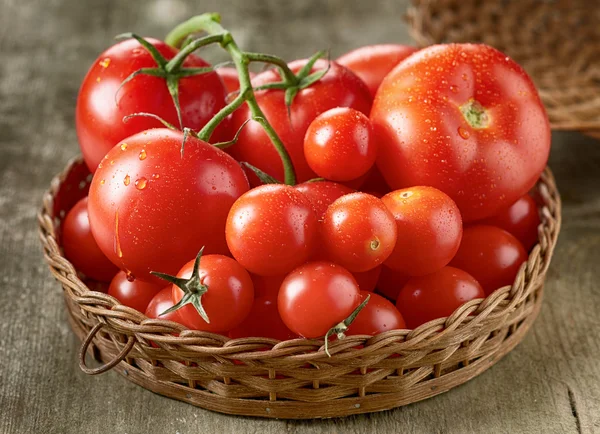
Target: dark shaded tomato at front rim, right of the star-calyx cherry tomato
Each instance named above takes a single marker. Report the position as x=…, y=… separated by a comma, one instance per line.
x=263, y=321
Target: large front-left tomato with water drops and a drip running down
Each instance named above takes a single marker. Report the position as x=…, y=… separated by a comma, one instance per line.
x=152, y=210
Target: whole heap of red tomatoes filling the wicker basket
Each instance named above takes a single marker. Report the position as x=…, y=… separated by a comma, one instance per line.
x=413, y=168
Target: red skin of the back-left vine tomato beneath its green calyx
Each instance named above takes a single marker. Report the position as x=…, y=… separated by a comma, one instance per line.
x=100, y=108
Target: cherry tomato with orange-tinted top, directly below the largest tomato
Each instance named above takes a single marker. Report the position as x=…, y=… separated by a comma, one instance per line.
x=429, y=230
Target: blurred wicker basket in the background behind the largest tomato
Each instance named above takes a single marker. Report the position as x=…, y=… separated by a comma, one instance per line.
x=557, y=42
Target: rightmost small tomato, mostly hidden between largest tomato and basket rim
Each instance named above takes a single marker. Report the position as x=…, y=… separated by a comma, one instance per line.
x=521, y=219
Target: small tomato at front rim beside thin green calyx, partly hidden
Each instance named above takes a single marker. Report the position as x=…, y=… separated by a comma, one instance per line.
x=379, y=315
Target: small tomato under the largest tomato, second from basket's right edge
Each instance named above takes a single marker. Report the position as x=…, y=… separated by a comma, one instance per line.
x=491, y=255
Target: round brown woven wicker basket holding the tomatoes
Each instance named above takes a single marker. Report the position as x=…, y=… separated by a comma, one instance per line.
x=296, y=379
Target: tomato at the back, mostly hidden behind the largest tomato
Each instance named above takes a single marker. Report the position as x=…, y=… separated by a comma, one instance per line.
x=372, y=63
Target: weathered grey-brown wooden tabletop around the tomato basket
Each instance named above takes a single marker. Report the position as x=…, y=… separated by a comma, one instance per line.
x=548, y=384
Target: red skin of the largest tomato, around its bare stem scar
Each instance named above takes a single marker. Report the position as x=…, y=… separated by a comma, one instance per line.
x=425, y=139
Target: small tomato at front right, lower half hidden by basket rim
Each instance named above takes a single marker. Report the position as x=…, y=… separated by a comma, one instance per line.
x=436, y=295
